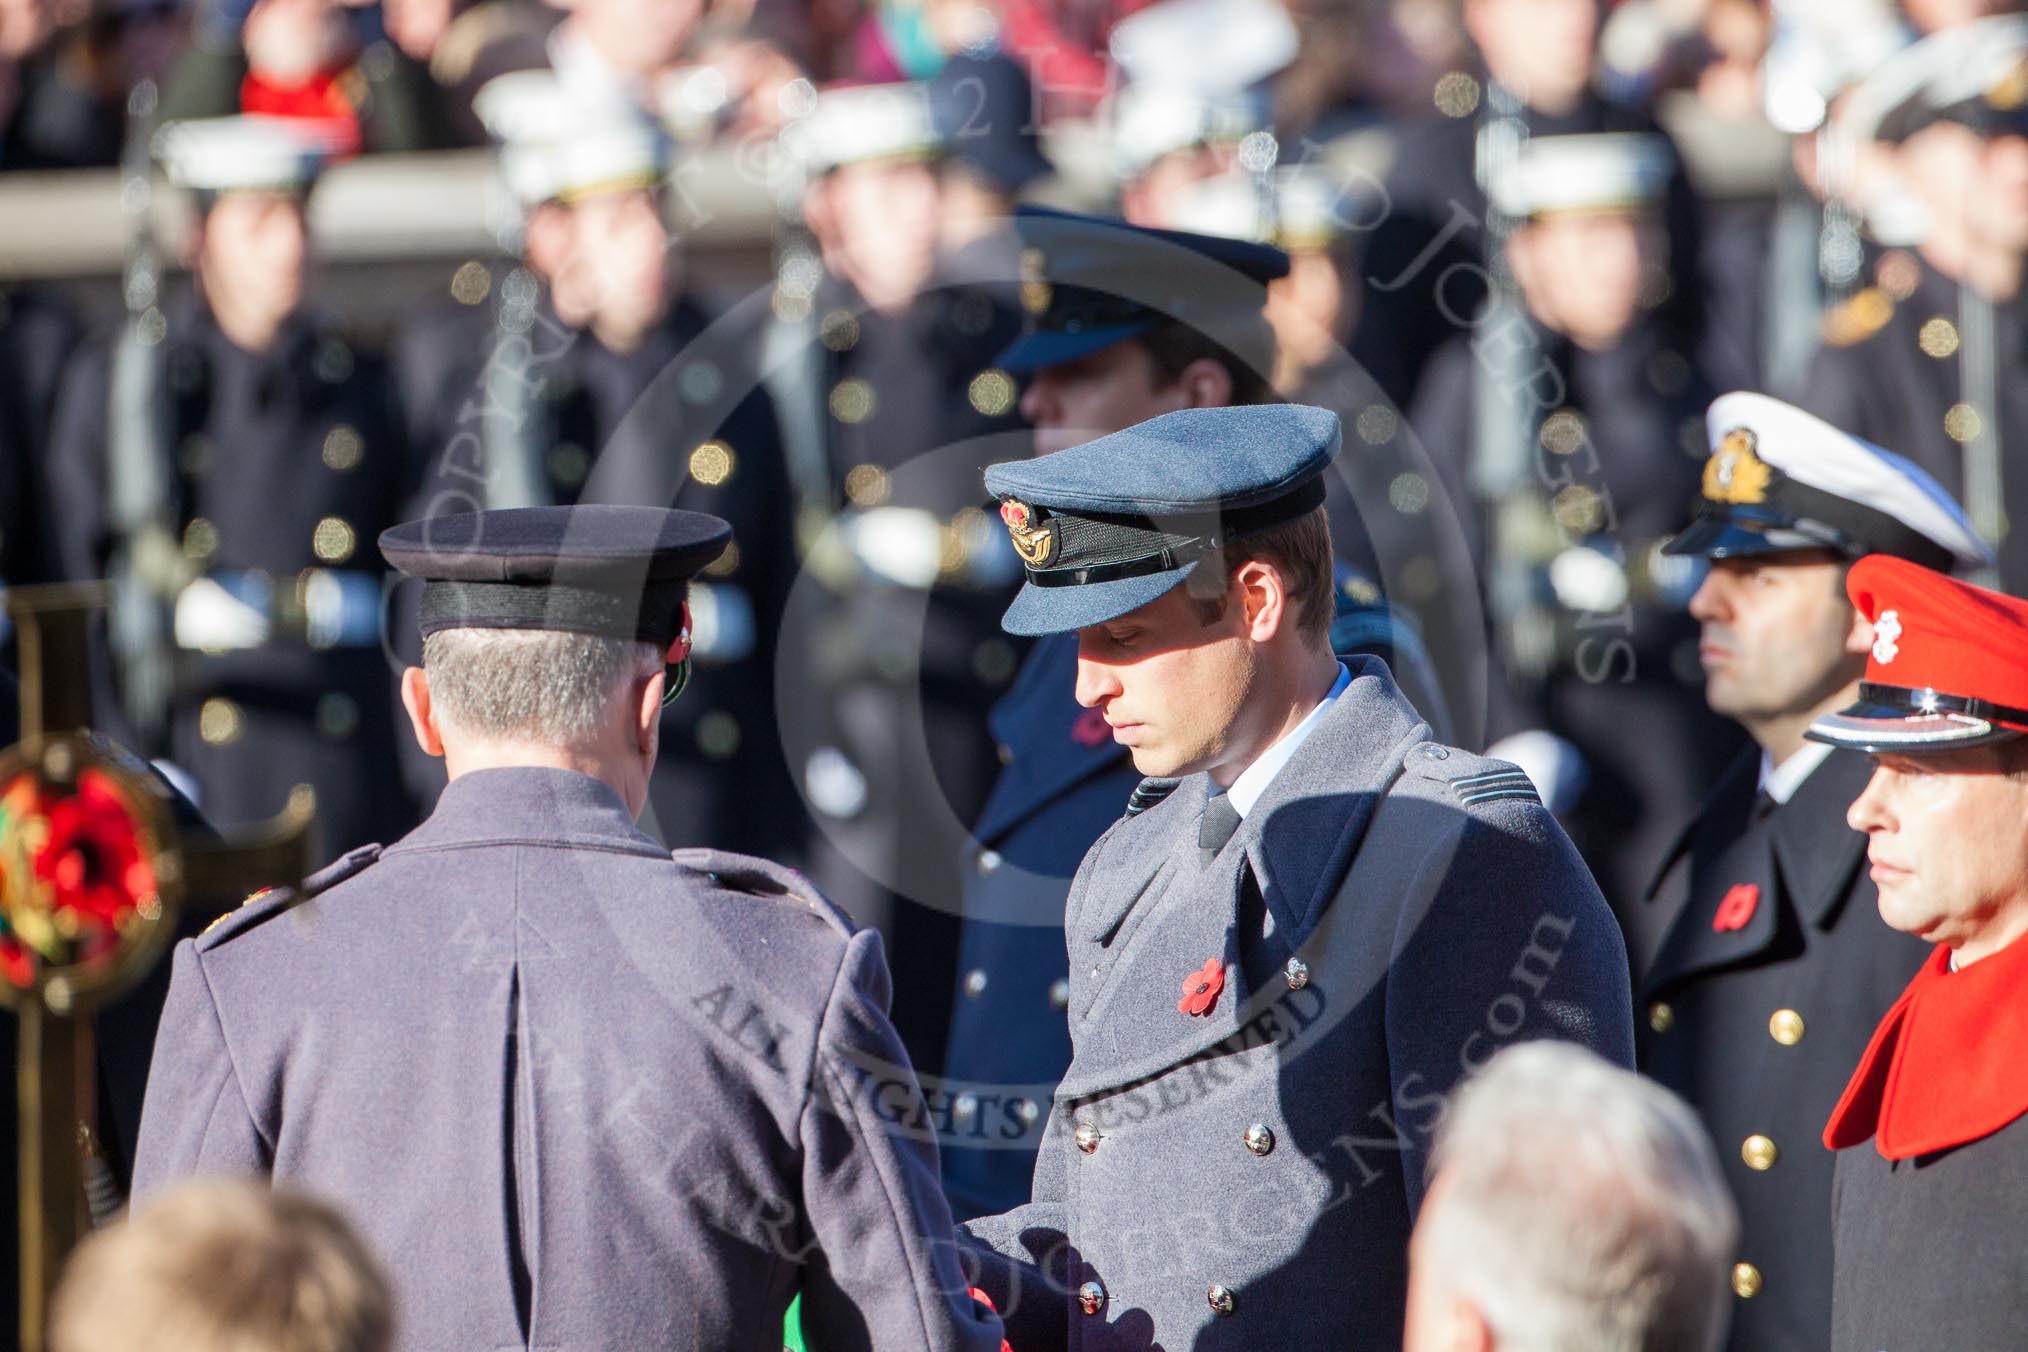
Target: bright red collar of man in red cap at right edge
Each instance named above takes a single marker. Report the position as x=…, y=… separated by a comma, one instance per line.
x=1944, y=1067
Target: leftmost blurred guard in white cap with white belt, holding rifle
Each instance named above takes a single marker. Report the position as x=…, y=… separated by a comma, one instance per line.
x=228, y=463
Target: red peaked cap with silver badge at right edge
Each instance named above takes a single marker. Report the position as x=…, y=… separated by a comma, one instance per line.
x=1948, y=670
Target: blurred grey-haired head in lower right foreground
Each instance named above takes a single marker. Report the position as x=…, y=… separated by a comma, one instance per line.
x=1573, y=1209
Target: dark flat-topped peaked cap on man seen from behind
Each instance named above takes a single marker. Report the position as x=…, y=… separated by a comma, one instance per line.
x=618, y=573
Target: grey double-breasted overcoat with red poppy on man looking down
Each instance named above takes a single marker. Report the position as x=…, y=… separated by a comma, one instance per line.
x=1246, y=1177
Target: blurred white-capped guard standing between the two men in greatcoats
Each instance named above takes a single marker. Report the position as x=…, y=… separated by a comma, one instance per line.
x=883, y=370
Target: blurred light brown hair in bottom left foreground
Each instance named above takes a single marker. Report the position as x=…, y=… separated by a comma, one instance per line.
x=224, y=1268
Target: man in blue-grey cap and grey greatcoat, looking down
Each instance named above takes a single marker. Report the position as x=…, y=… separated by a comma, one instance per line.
x=1279, y=970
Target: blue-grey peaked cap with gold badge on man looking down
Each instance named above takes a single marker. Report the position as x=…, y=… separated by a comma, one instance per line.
x=1114, y=524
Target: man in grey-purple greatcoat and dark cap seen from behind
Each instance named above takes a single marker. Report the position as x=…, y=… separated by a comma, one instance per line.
x=575, y=1092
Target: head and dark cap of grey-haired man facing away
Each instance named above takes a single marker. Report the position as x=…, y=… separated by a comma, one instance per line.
x=551, y=637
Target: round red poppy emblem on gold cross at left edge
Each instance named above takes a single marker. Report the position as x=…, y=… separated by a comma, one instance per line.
x=76, y=875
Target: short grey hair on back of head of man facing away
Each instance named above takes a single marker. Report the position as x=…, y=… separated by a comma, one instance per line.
x=532, y=684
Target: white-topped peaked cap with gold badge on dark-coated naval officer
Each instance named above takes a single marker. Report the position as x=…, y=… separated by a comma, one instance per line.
x=1784, y=479
